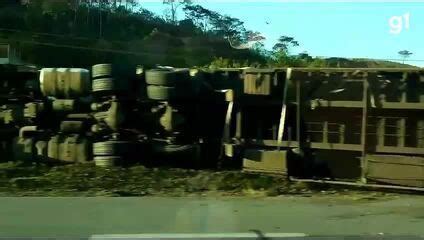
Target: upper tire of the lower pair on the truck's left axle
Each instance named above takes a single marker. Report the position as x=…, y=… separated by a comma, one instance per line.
x=111, y=148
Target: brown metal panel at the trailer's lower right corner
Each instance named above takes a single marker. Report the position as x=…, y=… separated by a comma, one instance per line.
x=396, y=169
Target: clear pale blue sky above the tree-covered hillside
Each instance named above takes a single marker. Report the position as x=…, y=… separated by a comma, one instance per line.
x=351, y=29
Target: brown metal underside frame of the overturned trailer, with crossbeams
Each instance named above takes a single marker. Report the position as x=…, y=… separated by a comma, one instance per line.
x=367, y=107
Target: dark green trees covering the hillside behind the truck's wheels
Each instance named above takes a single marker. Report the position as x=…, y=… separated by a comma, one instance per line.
x=92, y=31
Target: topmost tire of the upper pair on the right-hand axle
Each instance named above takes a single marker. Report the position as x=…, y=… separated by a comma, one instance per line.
x=167, y=77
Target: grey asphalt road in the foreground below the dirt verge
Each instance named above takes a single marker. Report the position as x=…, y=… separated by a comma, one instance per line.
x=317, y=215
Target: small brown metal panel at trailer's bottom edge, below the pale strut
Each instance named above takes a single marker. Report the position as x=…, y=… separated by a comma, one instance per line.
x=265, y=161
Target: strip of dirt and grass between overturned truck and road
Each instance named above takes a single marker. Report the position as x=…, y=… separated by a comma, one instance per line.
x=20, y=179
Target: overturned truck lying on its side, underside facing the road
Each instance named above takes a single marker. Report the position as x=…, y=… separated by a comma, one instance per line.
x=342, y=124
